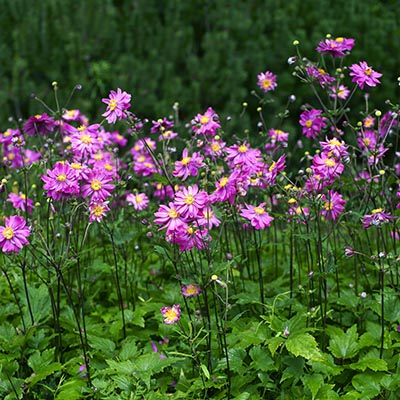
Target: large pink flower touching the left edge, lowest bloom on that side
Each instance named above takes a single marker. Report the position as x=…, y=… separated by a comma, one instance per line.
x=13, y=236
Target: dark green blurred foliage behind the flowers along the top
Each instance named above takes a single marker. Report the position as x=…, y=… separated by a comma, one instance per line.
x=200, y=53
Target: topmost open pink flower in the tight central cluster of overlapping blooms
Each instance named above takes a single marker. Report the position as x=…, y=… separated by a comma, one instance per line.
x=189, y=201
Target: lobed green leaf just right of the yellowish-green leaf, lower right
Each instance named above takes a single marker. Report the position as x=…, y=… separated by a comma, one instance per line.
x=343, y=344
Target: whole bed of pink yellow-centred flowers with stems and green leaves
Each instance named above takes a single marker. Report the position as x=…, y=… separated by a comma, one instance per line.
x=162, y=259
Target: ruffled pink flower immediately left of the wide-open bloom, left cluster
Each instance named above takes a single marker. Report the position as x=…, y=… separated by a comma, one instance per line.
x=61, y=182
